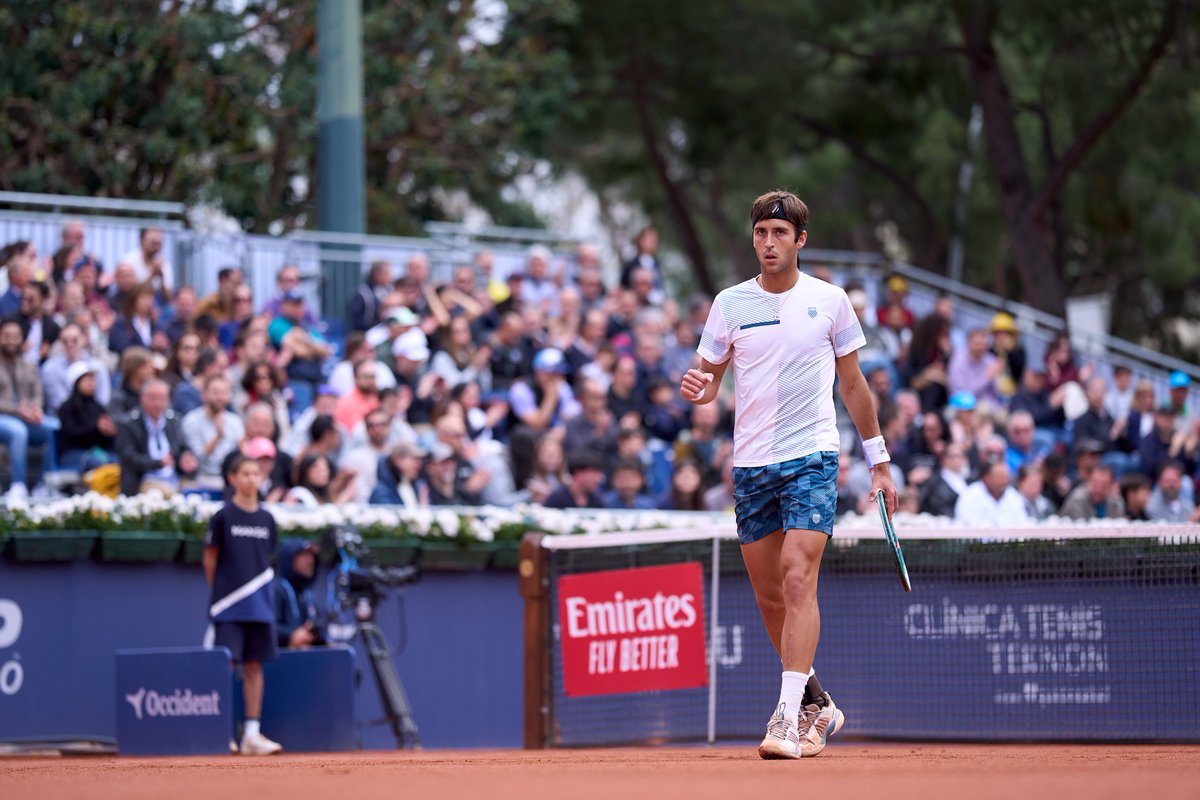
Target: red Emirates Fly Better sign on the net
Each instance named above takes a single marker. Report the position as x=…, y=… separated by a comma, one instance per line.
x=633, y=630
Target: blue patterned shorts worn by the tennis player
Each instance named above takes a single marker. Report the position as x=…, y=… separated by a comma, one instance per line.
x=796, y=495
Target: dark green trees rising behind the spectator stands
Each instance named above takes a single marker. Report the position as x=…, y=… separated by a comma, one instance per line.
x=1087, y=171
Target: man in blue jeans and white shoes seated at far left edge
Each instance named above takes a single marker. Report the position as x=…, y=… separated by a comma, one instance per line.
x=22, y=423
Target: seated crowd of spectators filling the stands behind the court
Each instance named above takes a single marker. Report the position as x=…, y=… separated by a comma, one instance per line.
x=543, y=386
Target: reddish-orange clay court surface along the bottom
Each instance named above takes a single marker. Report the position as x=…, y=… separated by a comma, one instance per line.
x=849, y=772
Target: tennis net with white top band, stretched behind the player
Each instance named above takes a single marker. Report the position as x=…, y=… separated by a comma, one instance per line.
x=1041, y=635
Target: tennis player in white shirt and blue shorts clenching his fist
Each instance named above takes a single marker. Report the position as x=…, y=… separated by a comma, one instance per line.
x=788, y=336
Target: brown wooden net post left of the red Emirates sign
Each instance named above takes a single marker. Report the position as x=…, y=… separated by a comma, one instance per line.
x=532, y=570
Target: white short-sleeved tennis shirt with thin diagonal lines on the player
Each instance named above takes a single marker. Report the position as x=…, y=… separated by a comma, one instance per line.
x=784, y=350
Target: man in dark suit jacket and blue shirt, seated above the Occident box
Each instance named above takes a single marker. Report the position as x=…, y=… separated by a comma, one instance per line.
x=151, y=446
